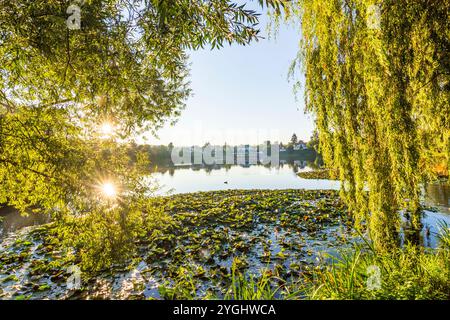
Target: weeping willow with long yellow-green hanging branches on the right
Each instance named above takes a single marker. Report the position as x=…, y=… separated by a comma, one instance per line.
x=378, y=82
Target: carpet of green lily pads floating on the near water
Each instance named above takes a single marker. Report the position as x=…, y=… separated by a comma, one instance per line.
x=209, y=236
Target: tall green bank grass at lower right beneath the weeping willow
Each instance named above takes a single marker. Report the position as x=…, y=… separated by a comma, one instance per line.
x=411, y=272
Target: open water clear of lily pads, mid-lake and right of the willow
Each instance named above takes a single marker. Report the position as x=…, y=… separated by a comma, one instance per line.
x=201, y=178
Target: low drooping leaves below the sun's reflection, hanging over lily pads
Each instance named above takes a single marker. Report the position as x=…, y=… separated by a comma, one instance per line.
x=109, y=236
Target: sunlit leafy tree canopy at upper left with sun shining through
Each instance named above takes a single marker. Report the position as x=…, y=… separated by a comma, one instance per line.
x=125, y=67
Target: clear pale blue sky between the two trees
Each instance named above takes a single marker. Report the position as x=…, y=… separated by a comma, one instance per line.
x=241, y=94
